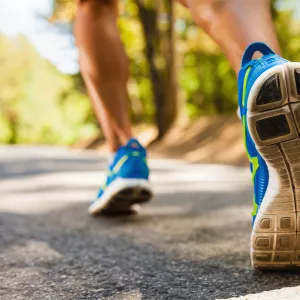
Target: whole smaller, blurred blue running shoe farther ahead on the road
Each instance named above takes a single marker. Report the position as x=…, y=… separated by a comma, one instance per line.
x=127, y=182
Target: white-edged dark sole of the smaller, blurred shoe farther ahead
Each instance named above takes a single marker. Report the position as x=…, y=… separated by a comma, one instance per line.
x=121, y=196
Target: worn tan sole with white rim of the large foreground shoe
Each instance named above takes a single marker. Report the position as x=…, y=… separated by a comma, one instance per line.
x=274, y=124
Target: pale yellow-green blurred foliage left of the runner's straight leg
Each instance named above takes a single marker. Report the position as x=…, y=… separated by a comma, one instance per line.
x=38, y=104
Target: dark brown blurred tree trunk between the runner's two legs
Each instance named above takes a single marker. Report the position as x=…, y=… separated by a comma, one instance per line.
x=159, y=48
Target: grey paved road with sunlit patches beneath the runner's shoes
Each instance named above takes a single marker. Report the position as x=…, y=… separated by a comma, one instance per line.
x=191, y=242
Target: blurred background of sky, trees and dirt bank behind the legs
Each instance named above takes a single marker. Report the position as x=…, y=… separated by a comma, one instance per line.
x=177, y=77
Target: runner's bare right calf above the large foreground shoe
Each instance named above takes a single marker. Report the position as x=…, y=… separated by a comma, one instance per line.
x=234, y=24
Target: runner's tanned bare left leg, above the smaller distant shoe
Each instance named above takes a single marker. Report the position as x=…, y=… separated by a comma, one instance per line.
x=104, y=66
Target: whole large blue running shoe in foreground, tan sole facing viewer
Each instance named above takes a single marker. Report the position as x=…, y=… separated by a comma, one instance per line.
x=269, y=103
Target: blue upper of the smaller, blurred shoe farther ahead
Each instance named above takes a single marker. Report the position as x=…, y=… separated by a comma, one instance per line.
x=129, y=162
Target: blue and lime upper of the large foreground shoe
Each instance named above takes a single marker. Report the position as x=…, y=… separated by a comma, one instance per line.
x=250, y=71
